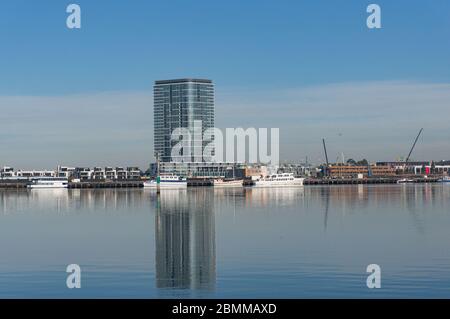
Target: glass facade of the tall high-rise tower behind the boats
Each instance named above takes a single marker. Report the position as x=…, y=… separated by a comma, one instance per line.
x=178, y=103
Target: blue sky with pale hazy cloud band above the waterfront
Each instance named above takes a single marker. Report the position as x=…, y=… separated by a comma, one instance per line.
x=311, y=68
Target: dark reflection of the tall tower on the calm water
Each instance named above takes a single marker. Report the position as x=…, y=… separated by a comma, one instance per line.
x=185, y=240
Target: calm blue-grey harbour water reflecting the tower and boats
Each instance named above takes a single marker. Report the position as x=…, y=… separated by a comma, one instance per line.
x=272, y=243
